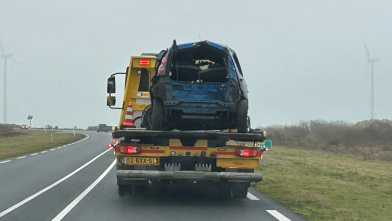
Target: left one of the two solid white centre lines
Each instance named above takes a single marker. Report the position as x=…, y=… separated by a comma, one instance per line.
x=12, y=208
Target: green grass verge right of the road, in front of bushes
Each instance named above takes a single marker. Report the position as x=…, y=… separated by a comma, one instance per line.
x=324, y=186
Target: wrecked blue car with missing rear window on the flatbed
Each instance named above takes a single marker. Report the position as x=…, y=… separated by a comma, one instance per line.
x=199, y=86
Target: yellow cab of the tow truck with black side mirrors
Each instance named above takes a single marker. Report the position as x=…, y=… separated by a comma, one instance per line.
x=136, y=91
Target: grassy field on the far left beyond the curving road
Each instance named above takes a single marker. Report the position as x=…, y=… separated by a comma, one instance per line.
x=30, y=141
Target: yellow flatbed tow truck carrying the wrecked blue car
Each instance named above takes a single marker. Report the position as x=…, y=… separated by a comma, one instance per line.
x=218, y=163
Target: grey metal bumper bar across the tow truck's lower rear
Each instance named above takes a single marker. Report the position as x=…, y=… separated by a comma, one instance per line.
x=190, y=175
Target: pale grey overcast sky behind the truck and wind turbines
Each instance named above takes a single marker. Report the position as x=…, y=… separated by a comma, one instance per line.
x=302, y=59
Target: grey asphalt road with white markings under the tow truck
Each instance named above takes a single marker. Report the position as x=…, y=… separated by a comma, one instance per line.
x=77, y=182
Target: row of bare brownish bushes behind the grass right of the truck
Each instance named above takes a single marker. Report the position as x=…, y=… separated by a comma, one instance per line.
x=370, y=140
